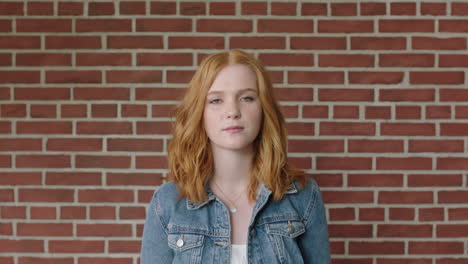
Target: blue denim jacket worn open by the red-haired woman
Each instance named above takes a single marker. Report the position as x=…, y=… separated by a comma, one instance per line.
x=291, y=230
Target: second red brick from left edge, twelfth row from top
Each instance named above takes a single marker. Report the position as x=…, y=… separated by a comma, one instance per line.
x=46, y=195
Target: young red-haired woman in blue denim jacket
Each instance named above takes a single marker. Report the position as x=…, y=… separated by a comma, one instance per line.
x=233, y=197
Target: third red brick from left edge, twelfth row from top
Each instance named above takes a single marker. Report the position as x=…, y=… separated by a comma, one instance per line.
x=105, y=196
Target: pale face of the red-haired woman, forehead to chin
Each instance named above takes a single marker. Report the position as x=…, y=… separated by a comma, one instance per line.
x=233, y=113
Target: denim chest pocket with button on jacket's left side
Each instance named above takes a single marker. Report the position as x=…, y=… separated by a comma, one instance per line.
x=187, y=247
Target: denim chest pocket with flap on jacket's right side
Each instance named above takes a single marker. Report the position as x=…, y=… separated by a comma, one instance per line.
x=282, y=236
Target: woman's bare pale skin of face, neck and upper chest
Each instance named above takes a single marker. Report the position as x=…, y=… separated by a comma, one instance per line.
x=232, y=100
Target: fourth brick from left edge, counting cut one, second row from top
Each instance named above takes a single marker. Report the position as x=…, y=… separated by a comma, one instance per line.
x=163, y=25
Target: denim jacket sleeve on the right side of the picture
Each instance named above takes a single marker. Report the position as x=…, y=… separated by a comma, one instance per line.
x=314, y=243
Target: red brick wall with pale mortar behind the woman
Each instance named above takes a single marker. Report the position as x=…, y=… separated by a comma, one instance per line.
x=375, y=95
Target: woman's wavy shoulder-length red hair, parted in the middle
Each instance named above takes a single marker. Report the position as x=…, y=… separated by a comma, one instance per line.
x=190, y=157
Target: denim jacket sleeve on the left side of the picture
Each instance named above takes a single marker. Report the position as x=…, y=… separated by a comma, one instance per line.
x=154, y=247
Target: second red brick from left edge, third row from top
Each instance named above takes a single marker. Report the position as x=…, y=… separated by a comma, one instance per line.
x=73, y=42
